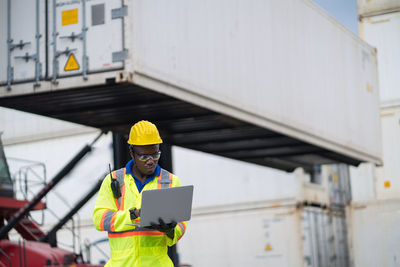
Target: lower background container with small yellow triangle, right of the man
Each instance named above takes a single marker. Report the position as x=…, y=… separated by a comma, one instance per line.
x=265, y=234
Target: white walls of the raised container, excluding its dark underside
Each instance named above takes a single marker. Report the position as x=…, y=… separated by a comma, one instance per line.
x=269, y=63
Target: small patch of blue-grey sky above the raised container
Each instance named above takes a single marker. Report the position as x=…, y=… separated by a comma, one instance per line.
x=344, y=11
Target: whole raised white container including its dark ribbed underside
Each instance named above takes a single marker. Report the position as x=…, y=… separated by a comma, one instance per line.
x=275, y=83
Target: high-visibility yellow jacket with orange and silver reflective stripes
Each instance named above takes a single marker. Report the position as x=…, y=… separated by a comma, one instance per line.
x=130, y=245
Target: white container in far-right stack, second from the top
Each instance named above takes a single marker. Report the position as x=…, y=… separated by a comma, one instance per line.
x=383, y=32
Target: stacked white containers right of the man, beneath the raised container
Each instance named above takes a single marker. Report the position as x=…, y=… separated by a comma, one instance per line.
x=252, y=216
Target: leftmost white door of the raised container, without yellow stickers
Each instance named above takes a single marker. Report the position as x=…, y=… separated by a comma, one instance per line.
x=22, y=41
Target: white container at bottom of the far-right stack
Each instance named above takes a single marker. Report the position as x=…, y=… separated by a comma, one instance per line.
x=374, y=236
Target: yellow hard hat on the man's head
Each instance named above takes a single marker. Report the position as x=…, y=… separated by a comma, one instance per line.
x=144, y=133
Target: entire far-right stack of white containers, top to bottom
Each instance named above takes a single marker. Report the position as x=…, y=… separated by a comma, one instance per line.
x=374, y=215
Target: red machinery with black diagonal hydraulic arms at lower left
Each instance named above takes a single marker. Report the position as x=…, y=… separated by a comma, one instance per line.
x=37, y=249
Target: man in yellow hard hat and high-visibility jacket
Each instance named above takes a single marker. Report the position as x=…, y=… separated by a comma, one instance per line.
x=119, y=201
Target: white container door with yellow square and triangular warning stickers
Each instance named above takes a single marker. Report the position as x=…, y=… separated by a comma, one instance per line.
x=86, y=37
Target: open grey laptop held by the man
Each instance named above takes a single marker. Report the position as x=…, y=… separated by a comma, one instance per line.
x=170, y=204
